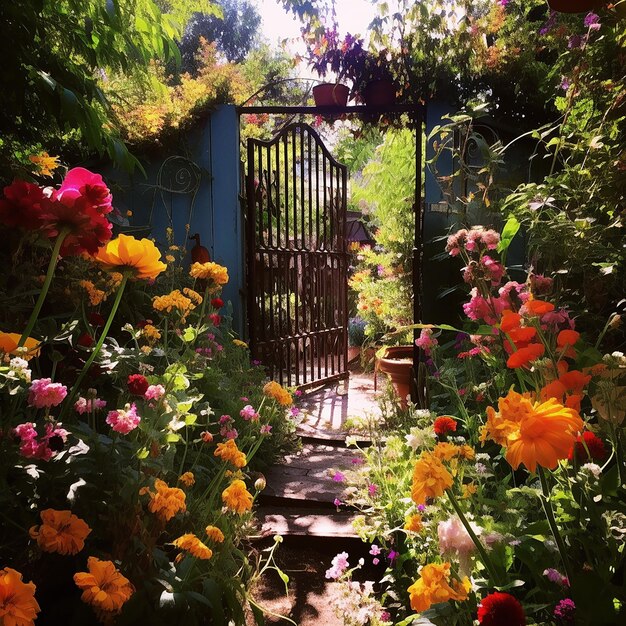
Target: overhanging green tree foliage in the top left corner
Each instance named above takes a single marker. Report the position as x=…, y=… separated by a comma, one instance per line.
x=54, y=54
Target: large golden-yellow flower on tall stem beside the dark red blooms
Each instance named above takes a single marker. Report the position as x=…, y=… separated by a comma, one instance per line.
x=140, y=256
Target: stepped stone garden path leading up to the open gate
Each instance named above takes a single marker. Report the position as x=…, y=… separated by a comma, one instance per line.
x=299, y=504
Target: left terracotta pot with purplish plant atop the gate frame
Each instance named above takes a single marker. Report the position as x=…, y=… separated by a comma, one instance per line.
x=344, y=58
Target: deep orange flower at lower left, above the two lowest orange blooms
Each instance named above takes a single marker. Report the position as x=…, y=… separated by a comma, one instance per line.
x=61, y=532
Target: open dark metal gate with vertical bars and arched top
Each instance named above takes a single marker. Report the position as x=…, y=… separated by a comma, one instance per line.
x=296, y=258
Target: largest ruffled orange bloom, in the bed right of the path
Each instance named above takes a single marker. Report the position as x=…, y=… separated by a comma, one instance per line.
x=534, y=433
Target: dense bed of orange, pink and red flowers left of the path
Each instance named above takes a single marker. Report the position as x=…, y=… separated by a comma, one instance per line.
x=132, y=427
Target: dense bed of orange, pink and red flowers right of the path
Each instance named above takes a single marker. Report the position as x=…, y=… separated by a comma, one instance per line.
x=503, y=504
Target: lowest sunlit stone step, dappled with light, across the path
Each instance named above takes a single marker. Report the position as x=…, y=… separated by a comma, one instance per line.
x=302, y=522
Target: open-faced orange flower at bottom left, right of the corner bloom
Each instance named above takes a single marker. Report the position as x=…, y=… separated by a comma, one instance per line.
x=104, y=587
